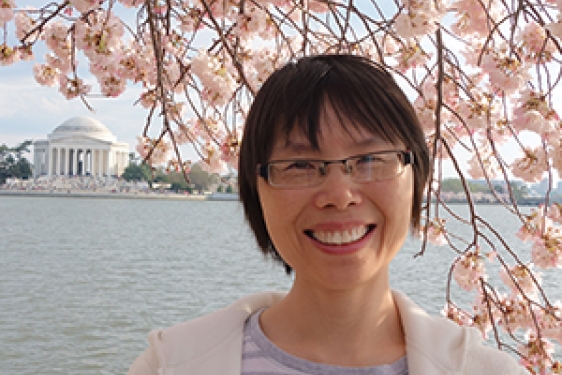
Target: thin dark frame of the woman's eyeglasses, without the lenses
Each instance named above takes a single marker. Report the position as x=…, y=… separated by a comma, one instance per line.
x=407, y=157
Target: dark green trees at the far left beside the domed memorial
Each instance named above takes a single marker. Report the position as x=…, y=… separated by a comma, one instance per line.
x=13, y=163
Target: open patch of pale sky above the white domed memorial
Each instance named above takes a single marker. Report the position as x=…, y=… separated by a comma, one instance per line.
x=31, y=111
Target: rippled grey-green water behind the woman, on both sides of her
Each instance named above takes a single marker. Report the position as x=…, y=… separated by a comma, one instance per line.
x=82, y=281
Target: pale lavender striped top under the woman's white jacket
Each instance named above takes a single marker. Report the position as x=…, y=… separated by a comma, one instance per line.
x=261, y=357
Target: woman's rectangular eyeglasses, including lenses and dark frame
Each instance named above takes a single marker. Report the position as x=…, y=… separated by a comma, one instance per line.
x=297, y=173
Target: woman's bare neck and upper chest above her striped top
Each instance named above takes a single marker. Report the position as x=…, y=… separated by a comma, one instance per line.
x=348, y=328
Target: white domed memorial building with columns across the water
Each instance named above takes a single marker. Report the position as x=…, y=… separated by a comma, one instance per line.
x=80, y=146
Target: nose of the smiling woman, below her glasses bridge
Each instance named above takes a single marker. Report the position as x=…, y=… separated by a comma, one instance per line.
x=338, y=189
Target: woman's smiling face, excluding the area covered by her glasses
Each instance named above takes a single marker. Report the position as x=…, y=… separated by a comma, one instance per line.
x=370, y=220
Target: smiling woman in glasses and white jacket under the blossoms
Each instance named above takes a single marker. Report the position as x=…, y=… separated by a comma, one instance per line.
x=333, y=166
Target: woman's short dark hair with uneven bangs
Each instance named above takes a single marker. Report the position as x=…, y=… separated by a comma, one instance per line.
x=294, y=97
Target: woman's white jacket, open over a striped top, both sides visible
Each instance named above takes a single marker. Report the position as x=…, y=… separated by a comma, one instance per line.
x=212, y=344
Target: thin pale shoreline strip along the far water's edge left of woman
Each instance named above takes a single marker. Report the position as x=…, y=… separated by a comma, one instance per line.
x=110, y=195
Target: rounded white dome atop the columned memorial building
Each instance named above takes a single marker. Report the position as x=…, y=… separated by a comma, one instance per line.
x=84, y=127
